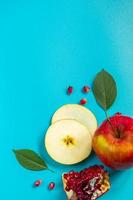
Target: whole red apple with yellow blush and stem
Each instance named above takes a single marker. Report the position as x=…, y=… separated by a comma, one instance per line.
x=115, y=151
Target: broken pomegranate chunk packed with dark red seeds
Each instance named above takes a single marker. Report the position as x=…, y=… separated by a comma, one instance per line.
x=87, y=184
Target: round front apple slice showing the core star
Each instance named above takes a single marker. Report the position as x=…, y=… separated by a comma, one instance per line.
x=68, y=141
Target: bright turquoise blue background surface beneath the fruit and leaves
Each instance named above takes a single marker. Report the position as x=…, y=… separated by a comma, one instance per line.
x=45, y=46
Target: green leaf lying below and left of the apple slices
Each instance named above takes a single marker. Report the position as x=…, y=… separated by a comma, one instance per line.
x=30, y=160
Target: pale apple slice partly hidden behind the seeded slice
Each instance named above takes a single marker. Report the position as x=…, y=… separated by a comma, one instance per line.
x=79, y=113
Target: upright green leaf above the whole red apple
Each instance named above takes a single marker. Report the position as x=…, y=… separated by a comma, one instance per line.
x=104, y=89
